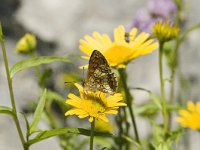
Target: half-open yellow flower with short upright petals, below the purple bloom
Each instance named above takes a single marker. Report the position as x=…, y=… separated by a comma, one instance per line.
x=165, y=31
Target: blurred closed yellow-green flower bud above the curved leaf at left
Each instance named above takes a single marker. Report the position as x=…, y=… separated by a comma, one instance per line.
x=26, y=44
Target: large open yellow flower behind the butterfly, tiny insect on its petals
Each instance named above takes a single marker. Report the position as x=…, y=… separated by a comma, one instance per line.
x=120, y=51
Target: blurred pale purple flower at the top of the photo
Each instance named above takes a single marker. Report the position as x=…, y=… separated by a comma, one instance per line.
x=156, y=10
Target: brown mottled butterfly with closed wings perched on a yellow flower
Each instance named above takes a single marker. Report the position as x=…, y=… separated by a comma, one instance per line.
x=100, y=76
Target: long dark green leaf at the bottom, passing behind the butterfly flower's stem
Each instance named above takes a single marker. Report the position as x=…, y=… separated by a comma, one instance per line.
x=50, y=133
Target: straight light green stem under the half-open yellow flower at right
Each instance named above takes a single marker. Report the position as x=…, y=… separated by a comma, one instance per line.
x=163, y=99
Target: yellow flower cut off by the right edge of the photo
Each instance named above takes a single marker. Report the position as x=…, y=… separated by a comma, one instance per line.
x=190, y=117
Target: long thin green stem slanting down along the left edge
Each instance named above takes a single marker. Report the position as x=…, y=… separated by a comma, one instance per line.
x=9, y=80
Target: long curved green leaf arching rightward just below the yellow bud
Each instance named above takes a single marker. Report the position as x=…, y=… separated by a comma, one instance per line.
x=32, y=62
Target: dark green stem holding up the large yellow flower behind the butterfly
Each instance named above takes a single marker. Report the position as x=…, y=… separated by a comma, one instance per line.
x=129, y=99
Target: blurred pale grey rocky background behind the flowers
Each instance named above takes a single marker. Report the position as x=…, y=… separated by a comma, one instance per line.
x=58, y=26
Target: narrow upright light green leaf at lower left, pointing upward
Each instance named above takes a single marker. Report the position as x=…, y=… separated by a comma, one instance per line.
x=38, y=112
